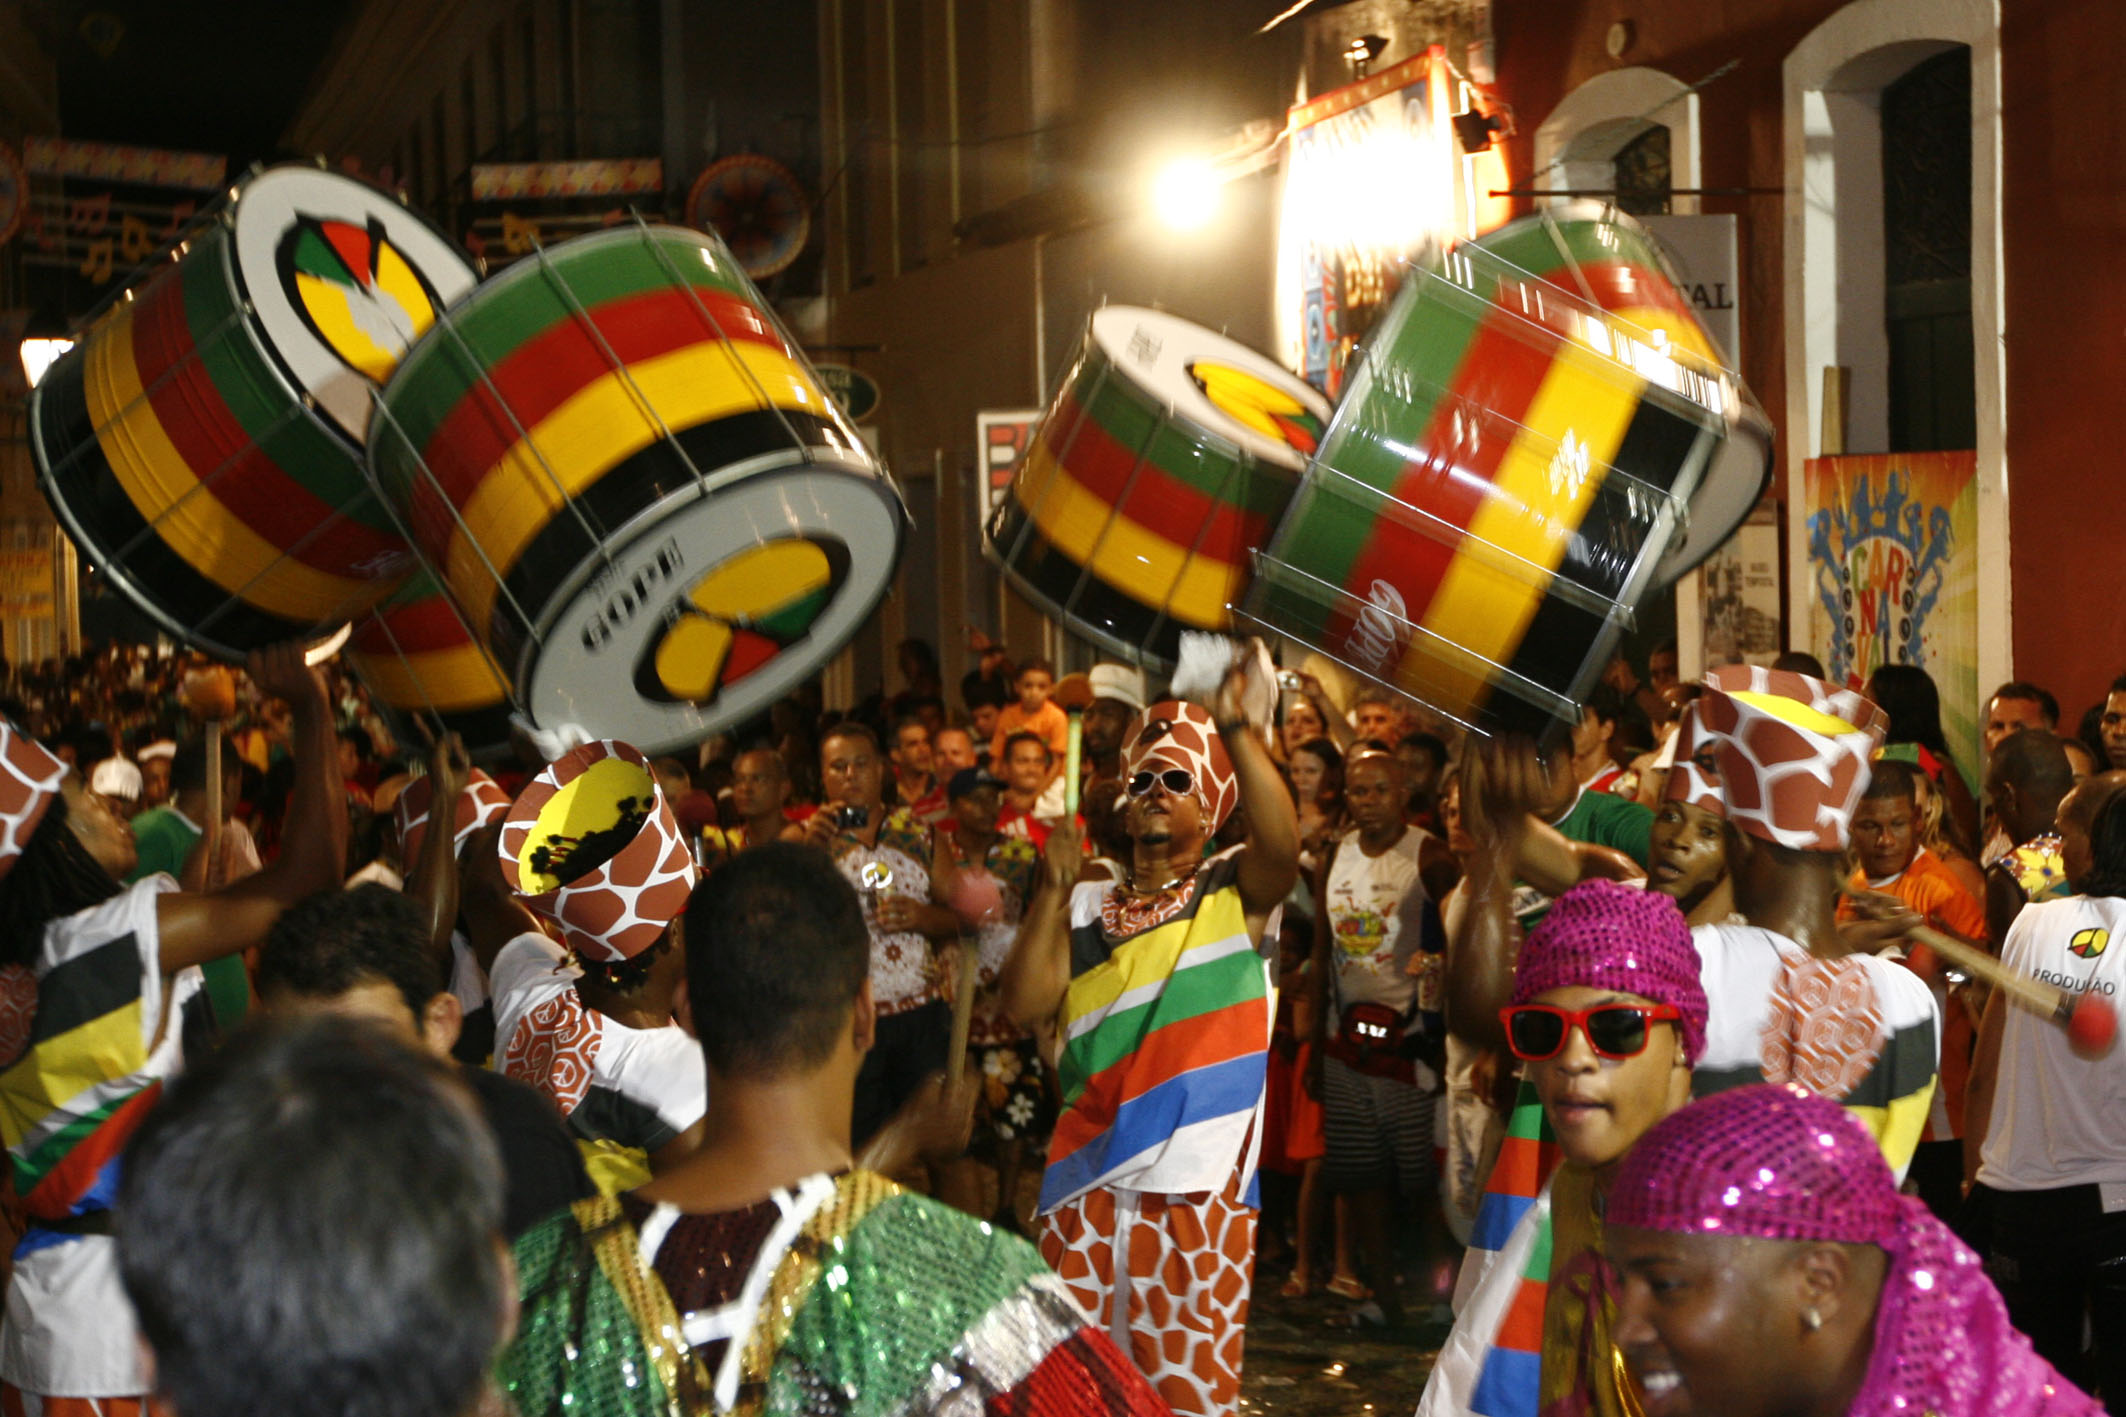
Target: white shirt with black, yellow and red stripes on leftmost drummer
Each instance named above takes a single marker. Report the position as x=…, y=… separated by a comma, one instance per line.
x=69, y=1327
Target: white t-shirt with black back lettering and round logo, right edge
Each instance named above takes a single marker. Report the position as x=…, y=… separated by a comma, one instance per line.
x=2057, y=1119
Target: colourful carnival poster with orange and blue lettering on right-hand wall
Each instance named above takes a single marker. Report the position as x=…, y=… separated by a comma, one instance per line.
x=1893, y=562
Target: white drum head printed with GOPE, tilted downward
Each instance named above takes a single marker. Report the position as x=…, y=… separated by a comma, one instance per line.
x=718, y=607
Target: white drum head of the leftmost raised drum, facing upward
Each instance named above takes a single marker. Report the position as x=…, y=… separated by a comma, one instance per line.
x=343, y=281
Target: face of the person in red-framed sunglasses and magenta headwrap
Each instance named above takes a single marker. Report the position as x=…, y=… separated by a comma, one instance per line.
x=1602, y=1106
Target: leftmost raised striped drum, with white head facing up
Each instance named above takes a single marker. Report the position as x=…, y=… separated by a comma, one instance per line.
x=203, y=443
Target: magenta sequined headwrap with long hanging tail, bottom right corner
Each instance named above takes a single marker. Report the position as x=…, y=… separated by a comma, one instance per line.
x=1787, y=1165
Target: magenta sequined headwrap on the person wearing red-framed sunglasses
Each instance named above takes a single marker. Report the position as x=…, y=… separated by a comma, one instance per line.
x=1617, y=938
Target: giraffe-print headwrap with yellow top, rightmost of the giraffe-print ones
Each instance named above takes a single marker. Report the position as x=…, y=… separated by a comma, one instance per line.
x=1793, y=753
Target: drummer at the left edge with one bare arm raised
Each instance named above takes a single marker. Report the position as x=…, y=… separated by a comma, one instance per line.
x=103, y=983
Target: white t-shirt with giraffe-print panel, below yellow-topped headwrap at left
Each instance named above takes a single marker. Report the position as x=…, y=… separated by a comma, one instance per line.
x=635, y=1087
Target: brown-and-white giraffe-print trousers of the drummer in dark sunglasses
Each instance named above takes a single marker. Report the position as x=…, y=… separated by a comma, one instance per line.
x=1168, y=1280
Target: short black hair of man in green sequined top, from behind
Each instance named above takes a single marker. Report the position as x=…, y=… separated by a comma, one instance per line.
x=777, y=953
